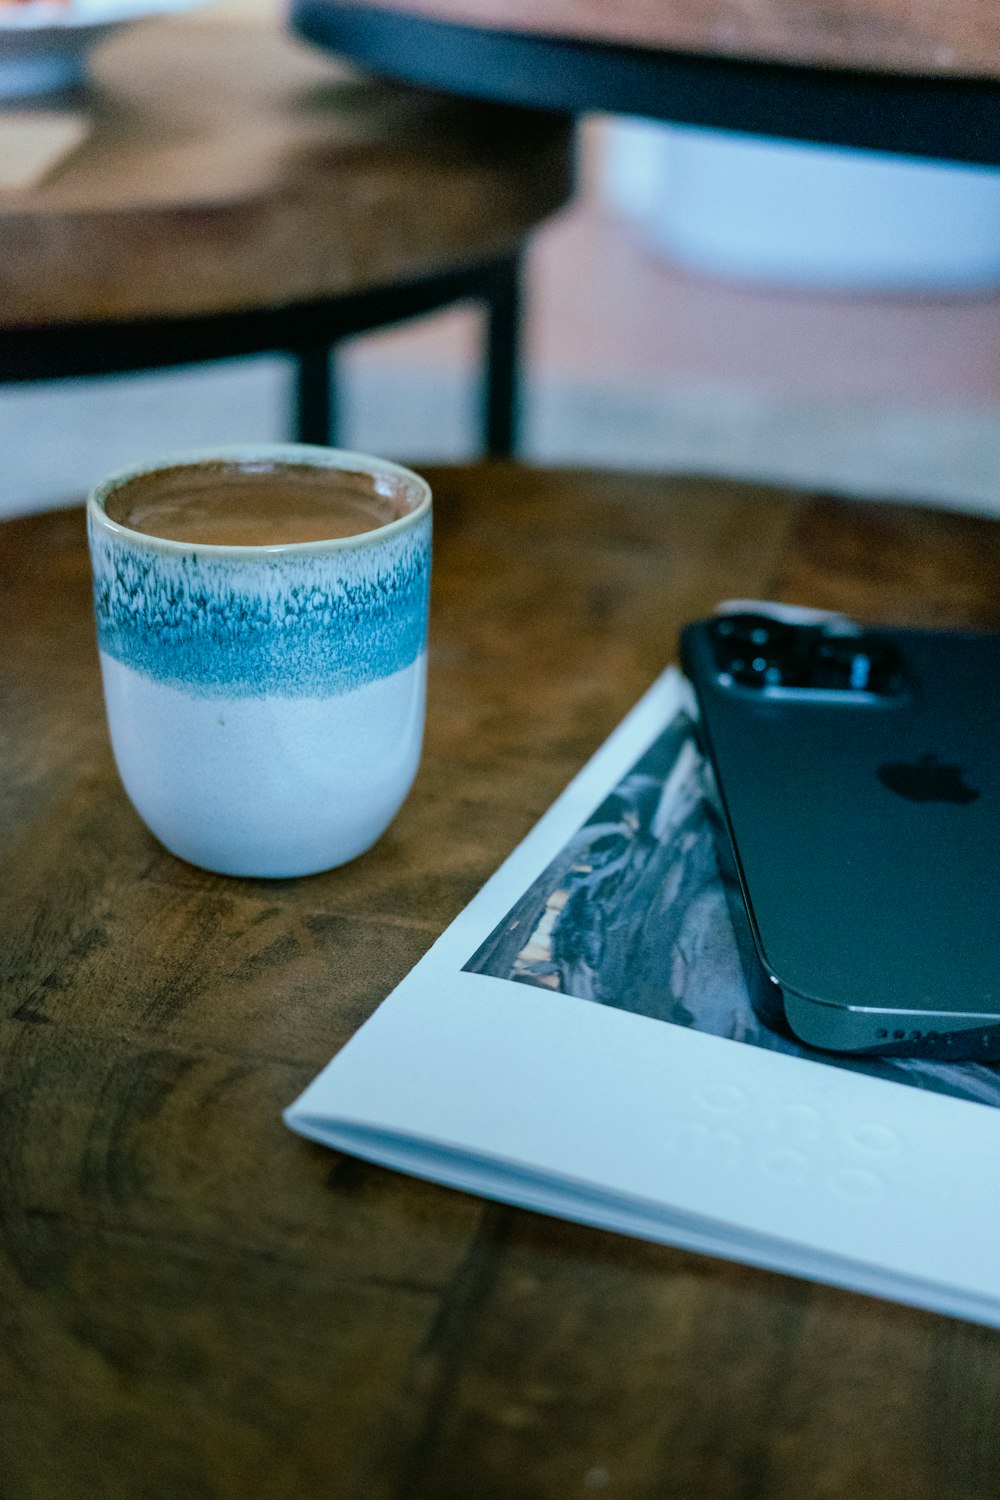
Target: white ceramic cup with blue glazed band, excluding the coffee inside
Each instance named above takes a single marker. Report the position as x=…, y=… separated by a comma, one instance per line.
x=266, y=704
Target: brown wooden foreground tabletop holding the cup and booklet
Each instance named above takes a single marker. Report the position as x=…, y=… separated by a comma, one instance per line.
x=197, y=1303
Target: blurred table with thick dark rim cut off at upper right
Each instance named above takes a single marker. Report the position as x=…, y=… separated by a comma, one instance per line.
x=876, y=74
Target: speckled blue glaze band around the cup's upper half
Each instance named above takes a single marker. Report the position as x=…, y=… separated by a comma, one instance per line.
x=290, y=625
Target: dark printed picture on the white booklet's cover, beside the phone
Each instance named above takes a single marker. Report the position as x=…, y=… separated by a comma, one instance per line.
x=633, y=914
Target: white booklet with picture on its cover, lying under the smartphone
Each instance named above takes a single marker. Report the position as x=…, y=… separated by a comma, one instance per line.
x=581, y=1042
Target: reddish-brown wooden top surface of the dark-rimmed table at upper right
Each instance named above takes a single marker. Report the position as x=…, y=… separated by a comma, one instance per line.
x=900, y=37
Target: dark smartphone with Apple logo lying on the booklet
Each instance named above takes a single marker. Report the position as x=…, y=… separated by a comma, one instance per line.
x=858, y=784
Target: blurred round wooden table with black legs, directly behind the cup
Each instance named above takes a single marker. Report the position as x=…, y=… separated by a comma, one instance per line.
x=239, y=194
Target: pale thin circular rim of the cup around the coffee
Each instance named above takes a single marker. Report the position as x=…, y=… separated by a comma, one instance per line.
x=313, y=455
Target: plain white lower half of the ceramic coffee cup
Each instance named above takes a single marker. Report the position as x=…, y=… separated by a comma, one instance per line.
x=268, y=788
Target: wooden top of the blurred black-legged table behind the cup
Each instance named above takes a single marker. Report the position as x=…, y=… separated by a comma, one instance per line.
x=230, y=167
